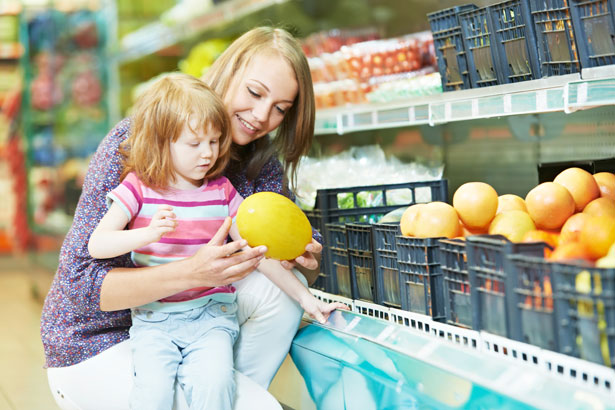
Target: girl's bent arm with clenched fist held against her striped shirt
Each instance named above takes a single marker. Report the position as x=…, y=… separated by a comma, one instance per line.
x=110, y=239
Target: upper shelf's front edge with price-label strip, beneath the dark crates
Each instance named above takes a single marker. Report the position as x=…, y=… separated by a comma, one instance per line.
x=564, y=93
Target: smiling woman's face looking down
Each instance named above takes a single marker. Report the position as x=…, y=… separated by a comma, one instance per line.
x=261, y=97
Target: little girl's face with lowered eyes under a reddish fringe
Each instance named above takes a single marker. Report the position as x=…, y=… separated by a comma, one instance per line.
x=193, y=155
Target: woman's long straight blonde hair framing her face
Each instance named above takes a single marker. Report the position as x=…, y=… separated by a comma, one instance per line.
x=294, y=136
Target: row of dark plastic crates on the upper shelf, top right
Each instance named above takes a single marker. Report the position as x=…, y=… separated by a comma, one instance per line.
x=519, y=40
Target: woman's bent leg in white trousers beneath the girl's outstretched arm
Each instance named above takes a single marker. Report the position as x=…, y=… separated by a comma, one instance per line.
x=269, y=320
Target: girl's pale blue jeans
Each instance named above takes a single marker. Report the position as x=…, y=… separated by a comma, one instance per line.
x=195, y=346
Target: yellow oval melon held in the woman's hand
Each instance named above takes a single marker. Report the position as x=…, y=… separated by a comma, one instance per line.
x=273, y=220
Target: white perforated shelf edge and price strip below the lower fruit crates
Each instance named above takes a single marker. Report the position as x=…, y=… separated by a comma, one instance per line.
x=546, y=370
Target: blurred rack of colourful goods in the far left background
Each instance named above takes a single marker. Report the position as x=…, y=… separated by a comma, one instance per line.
x=66, y=111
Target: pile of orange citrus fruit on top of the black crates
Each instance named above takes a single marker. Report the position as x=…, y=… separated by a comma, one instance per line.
x=574, y=214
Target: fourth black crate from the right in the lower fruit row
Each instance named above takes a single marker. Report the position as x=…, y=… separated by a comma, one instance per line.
x=454, y=267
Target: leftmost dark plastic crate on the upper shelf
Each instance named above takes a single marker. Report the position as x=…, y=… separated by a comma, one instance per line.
x=450, y=50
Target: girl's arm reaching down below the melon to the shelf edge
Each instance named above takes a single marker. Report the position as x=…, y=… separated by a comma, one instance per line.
x=290, y=284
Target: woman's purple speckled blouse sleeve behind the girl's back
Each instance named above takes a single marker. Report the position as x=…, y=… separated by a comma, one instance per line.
x=80, y=275
